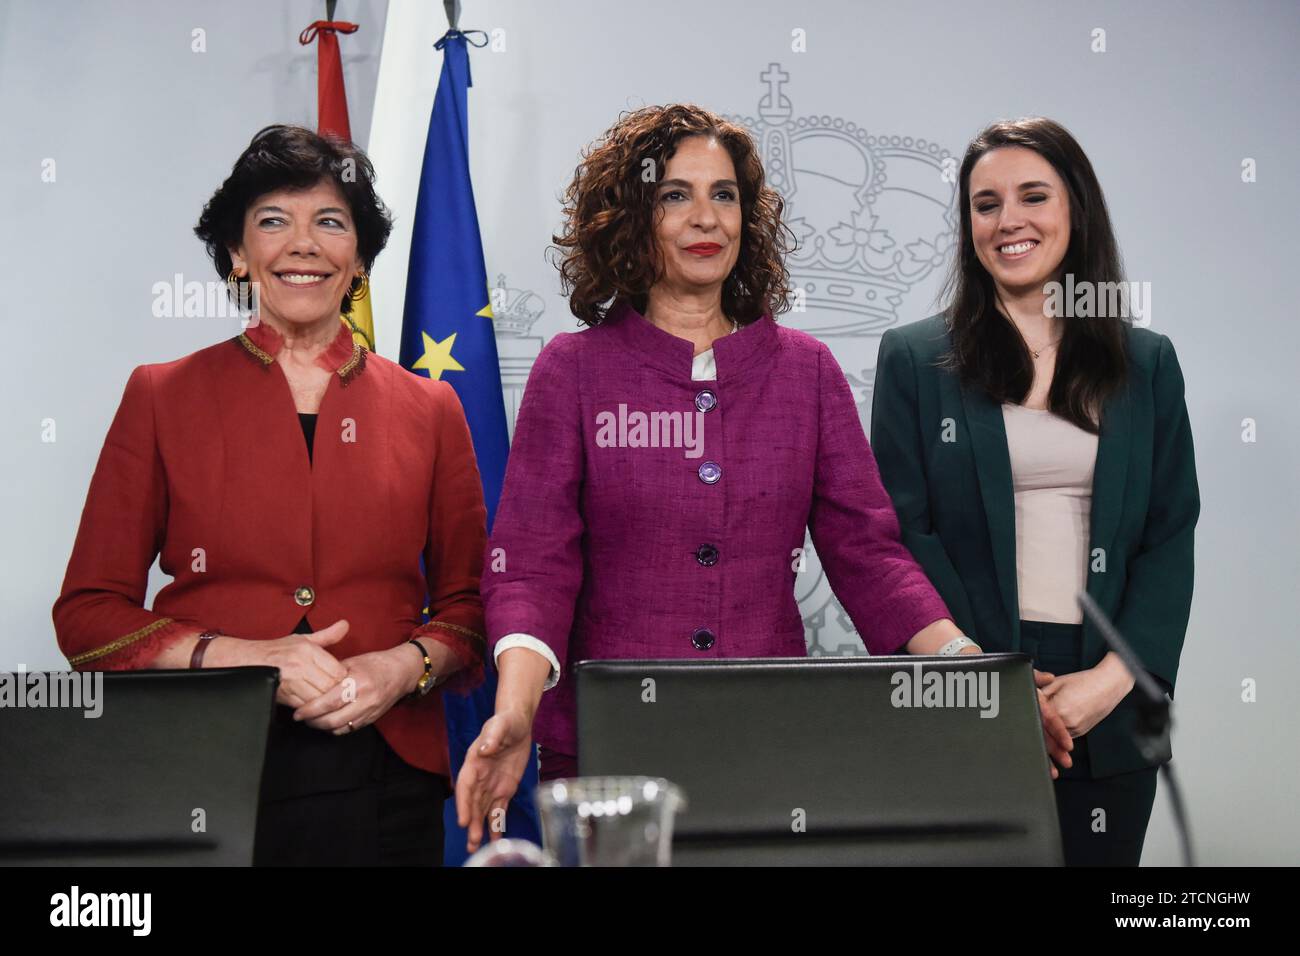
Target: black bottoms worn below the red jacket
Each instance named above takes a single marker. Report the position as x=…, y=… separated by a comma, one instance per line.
x=345, y=802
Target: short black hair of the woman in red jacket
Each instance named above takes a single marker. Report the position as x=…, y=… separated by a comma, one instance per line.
x=296, y=158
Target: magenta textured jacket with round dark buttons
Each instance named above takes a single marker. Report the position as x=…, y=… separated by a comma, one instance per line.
x=677, y=533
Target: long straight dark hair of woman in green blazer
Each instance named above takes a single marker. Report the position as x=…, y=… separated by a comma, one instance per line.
x=989, y=352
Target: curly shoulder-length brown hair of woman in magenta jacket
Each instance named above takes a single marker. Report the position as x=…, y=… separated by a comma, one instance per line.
x=608, y=252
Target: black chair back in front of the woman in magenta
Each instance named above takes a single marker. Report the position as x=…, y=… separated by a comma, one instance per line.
x=833, y=762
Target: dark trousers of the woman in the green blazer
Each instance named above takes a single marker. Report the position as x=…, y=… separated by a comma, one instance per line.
x=1103, y=820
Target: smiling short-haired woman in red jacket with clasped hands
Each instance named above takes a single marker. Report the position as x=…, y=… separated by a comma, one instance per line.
x=292, y=482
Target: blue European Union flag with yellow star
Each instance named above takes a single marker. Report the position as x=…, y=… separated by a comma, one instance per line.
x=448, y=334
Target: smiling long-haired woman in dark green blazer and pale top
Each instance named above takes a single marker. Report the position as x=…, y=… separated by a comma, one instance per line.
x=1038, y=444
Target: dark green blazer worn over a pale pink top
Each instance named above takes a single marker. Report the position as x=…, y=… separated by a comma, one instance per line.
x=957, y=512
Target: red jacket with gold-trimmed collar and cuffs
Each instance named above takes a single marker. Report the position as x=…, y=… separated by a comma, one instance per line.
x=206, y=465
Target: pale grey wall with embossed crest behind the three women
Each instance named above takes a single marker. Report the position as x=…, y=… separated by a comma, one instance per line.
x=142, y=129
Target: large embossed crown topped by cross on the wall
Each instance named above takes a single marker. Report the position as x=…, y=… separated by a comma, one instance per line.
x=873, y=214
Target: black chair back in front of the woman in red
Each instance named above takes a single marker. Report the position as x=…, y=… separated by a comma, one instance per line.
x=167, y=775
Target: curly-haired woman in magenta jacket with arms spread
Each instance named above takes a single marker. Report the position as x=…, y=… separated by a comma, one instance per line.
x=669, y=460
